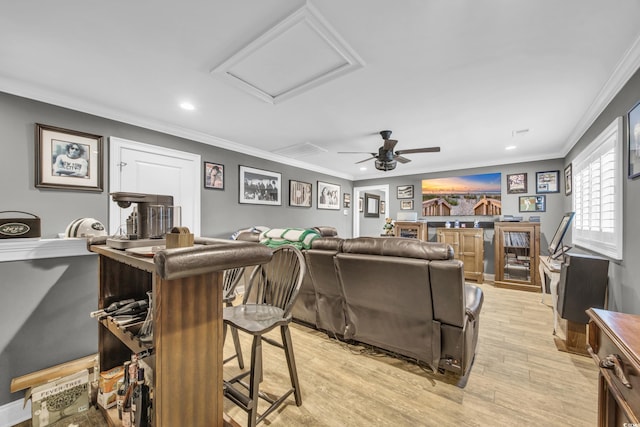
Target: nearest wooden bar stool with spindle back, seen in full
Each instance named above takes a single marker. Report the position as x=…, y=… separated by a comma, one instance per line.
x=267, y=303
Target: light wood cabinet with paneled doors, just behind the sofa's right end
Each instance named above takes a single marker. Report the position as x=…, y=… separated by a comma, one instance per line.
x=468, y=247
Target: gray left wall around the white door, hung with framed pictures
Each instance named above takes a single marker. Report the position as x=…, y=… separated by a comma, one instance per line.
x=54, y=297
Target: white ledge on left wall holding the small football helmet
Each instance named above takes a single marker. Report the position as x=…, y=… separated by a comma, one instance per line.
x=28, y=249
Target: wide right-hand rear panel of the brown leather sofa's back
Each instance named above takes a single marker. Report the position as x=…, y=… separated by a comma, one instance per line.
x=388, y=302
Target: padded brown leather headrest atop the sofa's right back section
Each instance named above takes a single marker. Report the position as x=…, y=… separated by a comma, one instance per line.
x=398, y=247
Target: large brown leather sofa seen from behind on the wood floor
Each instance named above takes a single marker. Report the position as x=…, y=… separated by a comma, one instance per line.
x=404, y=296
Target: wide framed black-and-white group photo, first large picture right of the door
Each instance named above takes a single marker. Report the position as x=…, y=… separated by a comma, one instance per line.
x=260, y=187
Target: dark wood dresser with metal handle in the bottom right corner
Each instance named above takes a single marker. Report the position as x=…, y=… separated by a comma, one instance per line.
x=614, y=344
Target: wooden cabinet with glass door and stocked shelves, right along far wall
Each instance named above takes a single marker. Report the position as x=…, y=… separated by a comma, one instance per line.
x=517, y=252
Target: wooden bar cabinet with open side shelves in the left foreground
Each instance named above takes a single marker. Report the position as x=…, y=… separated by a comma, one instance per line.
x=187, y=334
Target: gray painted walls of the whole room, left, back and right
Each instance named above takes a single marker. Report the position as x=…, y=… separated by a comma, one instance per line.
x=45, y=303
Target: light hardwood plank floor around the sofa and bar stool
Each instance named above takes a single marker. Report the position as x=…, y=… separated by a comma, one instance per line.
x=518, y=378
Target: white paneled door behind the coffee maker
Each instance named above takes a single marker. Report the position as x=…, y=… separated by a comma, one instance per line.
x=142, y=168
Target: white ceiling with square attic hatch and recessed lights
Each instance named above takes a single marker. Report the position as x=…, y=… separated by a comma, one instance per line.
x=297, y=81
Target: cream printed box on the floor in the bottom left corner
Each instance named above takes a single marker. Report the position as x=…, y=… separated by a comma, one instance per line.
x=59, y=399
